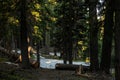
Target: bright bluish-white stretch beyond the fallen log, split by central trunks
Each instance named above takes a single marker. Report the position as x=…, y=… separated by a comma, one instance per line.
x=50, y=63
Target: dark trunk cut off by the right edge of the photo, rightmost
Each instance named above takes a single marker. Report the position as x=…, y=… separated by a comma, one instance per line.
x=117, y=44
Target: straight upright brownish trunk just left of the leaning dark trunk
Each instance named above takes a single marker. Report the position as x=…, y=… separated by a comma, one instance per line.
x=94, y=64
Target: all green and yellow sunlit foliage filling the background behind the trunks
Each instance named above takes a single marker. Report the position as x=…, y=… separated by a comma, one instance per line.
x=47, y=15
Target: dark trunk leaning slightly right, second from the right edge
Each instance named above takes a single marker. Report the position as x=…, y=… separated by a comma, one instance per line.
x=107, y=39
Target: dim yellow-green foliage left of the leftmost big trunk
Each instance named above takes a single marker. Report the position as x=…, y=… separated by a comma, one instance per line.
x=9, y=24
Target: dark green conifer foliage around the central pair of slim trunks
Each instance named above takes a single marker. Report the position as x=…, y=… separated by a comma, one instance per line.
x=72, y=14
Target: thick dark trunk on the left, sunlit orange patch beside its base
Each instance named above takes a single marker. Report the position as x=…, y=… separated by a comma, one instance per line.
x=24, y=30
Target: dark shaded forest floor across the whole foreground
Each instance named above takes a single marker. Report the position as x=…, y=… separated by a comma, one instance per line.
x=12, y=71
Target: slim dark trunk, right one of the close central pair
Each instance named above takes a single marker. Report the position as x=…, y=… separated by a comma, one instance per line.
x=71, y=25
